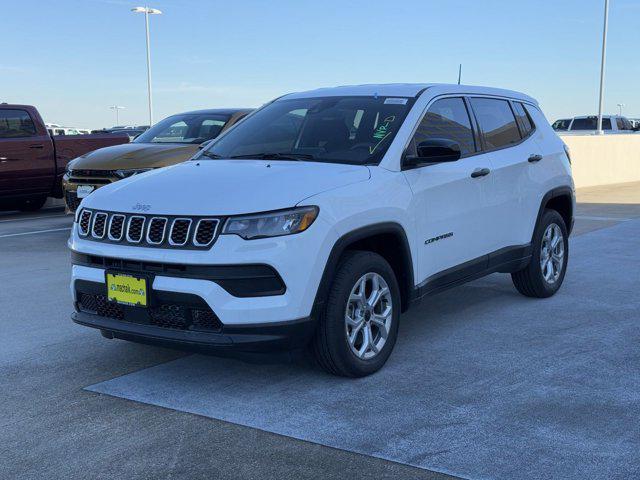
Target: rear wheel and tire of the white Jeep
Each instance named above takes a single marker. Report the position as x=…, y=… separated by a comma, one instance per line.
x=533, y=280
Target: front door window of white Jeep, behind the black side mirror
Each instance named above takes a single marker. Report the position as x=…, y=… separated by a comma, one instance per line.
x=447, y=118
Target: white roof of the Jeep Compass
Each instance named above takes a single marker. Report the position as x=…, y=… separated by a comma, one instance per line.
x=405, y=90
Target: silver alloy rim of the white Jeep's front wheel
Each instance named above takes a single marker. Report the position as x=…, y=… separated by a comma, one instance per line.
x=368, y=316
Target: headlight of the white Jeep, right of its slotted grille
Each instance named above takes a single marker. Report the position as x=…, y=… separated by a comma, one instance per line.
x=272, y=224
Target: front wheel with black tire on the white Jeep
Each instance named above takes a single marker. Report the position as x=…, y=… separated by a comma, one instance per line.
x=331, y=346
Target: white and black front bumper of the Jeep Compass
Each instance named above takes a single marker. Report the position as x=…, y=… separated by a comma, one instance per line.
x=262, y=291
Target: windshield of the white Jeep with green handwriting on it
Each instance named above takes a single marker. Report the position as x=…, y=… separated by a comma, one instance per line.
x=355, y=130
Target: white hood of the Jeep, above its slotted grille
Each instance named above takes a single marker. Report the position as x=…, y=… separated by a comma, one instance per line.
x=224, y=187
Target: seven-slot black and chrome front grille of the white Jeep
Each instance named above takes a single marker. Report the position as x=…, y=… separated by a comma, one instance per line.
x=148, y=230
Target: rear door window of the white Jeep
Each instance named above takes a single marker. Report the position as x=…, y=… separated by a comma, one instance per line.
x=497, y=123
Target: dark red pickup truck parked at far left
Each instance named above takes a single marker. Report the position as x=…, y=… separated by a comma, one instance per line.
x=32, y=162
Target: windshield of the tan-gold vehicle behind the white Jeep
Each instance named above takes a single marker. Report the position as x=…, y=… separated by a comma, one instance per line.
x=189, y=128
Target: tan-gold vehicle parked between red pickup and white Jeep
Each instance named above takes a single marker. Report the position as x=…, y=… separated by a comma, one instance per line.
x=170, y=141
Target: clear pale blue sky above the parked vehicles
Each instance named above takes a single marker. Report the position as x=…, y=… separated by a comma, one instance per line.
x=74, y=58
